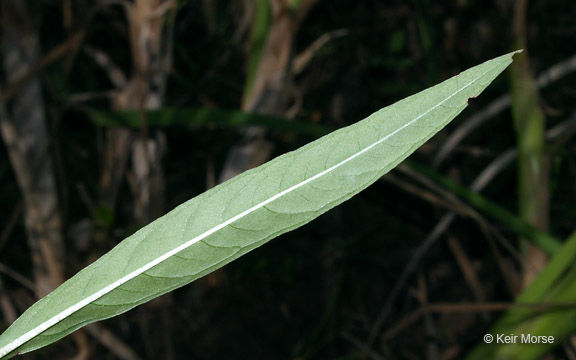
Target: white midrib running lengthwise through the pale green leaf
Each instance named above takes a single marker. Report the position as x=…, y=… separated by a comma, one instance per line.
x=8, y=348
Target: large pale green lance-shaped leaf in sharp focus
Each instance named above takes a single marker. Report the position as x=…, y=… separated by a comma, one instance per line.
x=229, y=220
